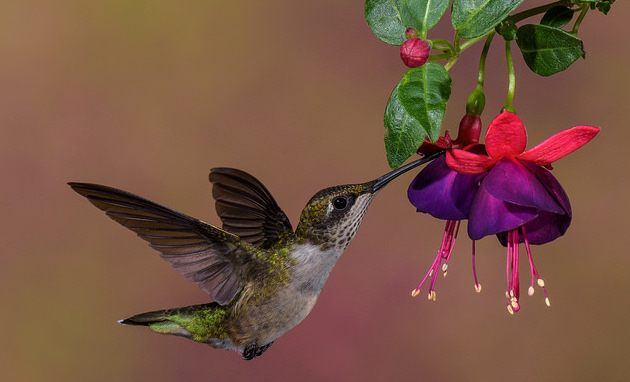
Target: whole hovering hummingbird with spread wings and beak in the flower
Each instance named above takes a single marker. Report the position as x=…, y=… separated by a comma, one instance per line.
x=263, y=277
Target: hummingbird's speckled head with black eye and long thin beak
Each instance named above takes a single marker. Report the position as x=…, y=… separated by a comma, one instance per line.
x=333, y=215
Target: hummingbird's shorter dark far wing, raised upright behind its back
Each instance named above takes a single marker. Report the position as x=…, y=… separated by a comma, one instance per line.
x=247, y=208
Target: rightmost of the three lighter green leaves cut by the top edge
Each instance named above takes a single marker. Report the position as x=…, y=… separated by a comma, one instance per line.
x=474, y=18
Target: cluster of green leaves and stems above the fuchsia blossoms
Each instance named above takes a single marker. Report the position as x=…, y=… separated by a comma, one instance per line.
x=417, y=105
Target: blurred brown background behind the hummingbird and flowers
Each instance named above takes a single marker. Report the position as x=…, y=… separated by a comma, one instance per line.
x=149, y=95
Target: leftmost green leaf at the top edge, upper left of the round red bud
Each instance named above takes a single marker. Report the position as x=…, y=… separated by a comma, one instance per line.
x=385, y=21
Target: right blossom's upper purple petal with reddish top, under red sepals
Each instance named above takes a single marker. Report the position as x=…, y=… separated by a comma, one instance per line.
x=512, y=181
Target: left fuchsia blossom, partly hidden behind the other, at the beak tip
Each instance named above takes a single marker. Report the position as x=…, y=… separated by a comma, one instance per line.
x=446, y=194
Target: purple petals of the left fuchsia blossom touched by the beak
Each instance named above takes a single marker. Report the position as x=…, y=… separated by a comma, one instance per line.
x=442, y=192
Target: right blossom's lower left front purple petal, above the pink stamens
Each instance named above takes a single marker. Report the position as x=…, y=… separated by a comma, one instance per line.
x=489, y=215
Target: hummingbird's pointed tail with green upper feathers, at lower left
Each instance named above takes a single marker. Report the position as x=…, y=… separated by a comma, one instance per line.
x=202, y=323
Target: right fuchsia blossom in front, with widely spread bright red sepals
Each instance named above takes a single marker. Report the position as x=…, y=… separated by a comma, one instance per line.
x=518, y=200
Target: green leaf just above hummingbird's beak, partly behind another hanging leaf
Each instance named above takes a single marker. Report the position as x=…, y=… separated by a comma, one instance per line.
x=403, y=133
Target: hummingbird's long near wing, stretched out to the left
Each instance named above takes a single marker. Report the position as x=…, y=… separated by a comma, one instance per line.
x=216, y=260
